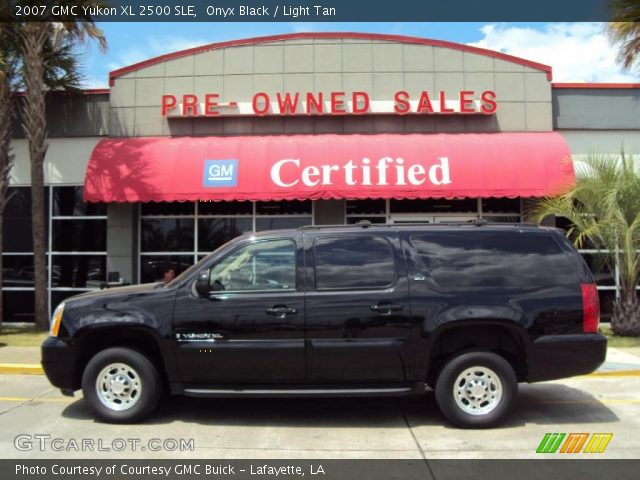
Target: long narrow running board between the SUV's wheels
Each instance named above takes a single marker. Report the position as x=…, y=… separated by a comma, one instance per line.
x=304, y=392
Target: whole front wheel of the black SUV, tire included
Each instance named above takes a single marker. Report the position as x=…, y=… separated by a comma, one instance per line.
x=136, y=369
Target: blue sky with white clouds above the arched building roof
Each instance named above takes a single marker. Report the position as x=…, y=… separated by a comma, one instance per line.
x=578, y=52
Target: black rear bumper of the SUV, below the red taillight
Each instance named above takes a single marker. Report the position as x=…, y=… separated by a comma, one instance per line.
x=559, y=356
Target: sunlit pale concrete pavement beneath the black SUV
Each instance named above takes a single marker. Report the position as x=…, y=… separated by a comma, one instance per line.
x=319, y=428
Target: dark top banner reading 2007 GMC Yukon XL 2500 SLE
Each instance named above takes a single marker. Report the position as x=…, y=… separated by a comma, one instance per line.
x=310, y=11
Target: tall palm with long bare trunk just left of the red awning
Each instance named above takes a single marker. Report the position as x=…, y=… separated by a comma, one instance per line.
x=38, y=40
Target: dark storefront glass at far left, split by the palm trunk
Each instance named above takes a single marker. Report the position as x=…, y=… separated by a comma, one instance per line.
x=77, y=244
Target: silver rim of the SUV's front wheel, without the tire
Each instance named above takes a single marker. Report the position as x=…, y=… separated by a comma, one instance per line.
x=118, y=386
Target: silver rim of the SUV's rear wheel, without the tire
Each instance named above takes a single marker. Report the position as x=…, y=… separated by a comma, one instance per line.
x=477, y=390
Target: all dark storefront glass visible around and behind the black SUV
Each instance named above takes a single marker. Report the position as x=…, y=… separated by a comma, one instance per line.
x=175, y=235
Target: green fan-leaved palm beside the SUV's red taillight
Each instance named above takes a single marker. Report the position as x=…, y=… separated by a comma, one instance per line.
x=604, y=208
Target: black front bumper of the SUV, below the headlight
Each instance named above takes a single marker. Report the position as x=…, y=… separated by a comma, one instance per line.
x=61, y=364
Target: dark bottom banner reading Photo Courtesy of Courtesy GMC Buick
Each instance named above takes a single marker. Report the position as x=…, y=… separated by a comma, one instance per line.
x=319, y=469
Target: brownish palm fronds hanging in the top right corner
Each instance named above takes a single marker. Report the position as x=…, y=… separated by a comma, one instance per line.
x=624, y=30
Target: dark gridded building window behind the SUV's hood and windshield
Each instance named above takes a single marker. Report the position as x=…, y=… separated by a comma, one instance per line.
x=176, y=235
